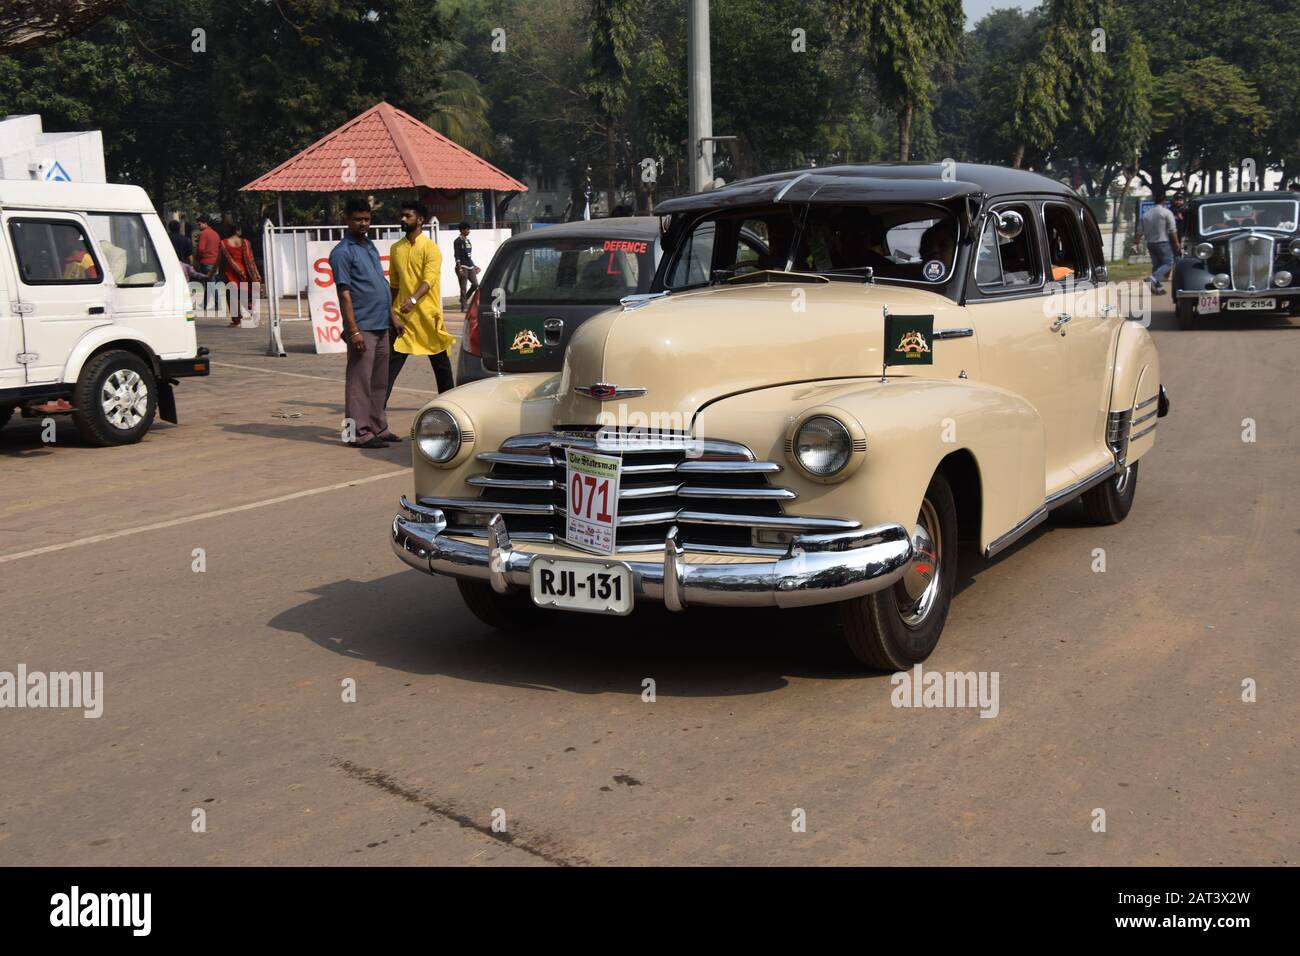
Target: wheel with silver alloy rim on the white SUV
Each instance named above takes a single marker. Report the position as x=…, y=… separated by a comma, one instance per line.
x=116, y=399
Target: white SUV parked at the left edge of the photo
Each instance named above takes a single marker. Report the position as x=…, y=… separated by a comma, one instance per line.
x=96, y=310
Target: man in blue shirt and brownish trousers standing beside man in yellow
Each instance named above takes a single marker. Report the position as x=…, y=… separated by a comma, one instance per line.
x=367, y=306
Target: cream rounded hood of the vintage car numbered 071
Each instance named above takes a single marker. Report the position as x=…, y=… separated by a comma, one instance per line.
x=691, y=349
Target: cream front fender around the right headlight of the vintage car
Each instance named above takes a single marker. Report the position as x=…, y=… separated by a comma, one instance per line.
x=912, y=426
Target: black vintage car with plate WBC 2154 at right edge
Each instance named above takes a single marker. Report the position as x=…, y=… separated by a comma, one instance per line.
x=1241, y=254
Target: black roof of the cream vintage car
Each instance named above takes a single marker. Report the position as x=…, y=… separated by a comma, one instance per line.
x=879, y=181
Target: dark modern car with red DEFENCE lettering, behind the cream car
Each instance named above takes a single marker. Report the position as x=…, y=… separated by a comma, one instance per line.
x=544, y=284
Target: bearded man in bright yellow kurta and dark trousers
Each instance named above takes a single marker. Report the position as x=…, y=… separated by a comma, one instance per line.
x=415, y=270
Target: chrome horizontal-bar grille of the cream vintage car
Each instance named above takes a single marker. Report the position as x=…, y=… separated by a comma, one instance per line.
x=717, y=494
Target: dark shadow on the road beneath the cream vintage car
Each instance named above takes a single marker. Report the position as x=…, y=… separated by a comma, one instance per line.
x=408, y=624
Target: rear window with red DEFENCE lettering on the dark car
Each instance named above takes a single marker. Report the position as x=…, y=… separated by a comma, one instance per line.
x=577, y=271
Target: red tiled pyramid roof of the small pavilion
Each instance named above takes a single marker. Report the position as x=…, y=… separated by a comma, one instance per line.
x=385, y=149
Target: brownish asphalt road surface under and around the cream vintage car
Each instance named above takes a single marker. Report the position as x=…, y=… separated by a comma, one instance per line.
x=223, y=689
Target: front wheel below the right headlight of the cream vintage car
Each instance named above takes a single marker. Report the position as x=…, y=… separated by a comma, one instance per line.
x=895, y=629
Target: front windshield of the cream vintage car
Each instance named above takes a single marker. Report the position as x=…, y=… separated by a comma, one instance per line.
x=903, y=244
